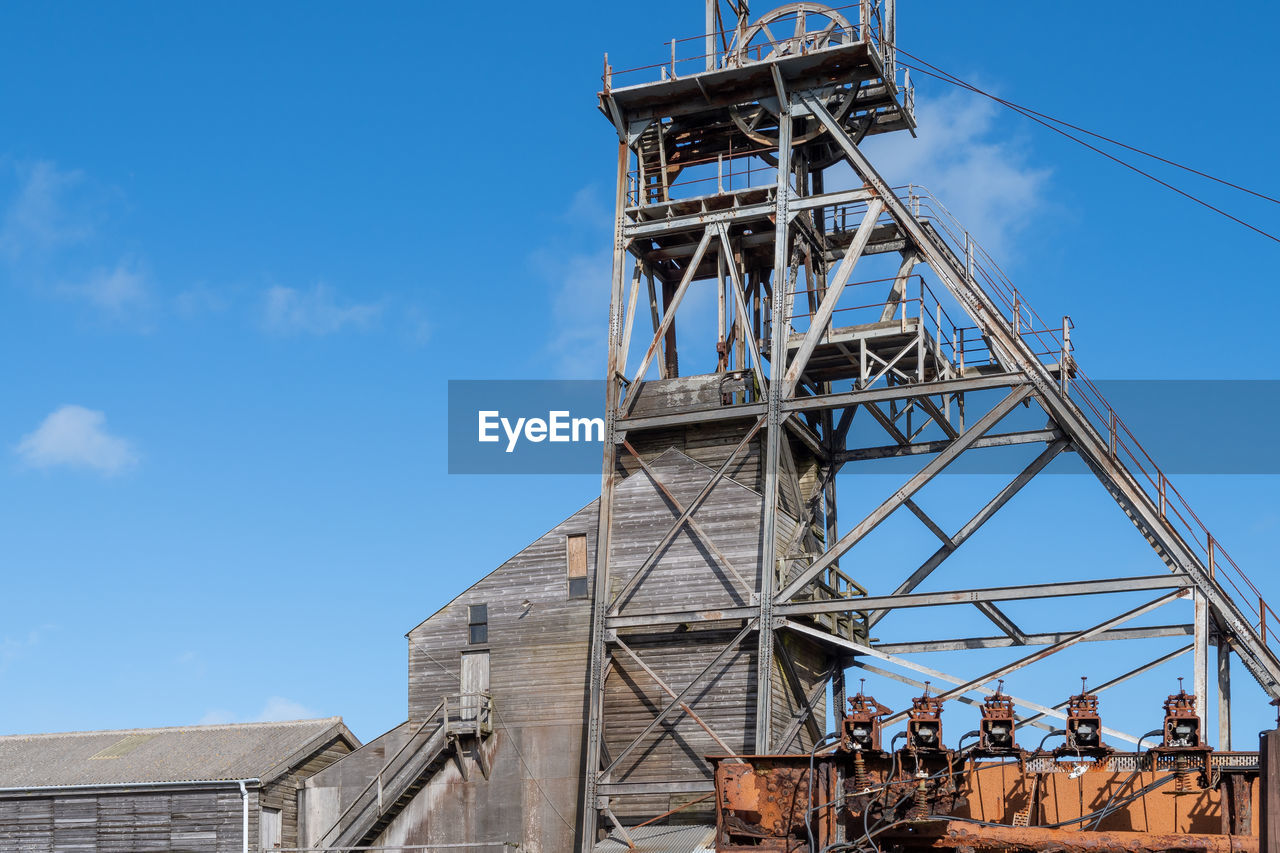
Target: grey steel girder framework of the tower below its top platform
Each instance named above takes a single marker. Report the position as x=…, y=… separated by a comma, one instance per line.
x=757, y=253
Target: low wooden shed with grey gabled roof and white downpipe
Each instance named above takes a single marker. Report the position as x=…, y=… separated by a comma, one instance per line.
x=202, y=790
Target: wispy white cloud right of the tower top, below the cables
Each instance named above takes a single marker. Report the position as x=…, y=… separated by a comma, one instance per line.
x=970, y=165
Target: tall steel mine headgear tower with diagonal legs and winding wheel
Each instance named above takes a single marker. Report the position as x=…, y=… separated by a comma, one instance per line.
x=740, y=180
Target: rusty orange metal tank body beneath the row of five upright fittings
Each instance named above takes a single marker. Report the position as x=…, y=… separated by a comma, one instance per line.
x=762, y=802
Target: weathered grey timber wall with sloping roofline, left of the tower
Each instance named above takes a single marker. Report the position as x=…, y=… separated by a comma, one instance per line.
x=538, y=646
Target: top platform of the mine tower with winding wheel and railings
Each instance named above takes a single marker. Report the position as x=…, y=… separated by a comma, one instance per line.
x=719, y=97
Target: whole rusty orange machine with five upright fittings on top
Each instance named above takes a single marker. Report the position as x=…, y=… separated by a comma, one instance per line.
x=853, y=795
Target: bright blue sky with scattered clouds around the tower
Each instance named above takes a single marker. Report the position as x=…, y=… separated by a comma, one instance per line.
x=244, y=248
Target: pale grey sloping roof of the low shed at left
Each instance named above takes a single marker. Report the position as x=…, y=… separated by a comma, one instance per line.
x=189, y=754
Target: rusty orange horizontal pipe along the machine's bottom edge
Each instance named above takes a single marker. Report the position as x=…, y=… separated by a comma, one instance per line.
x=975, y=837
